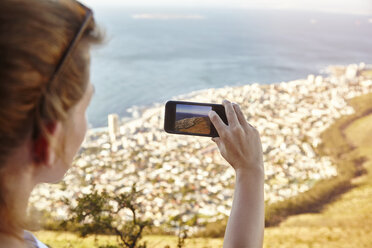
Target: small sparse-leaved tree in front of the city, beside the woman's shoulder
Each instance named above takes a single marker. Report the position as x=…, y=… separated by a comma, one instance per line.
x=102, y=213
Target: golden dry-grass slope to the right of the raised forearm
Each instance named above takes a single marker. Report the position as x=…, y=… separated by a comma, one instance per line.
x=347, y=221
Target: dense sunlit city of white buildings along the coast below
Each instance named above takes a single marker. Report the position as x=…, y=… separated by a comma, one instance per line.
x=186, y=175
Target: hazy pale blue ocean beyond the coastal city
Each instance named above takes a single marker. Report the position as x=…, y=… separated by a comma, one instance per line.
x=152, y=55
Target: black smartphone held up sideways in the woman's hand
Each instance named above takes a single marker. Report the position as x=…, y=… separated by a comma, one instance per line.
x=191, y=118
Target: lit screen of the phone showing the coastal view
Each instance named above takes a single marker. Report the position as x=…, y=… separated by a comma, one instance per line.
x=192, y=119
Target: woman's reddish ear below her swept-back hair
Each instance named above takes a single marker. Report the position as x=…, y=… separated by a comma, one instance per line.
x=43, y=148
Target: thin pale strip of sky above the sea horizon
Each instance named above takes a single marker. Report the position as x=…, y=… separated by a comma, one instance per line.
x=339, y=6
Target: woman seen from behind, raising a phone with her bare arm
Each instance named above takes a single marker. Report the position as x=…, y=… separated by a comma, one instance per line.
x=44, y=94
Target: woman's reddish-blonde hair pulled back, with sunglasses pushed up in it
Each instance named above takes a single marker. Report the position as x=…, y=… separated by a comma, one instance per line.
x=33, y=37
